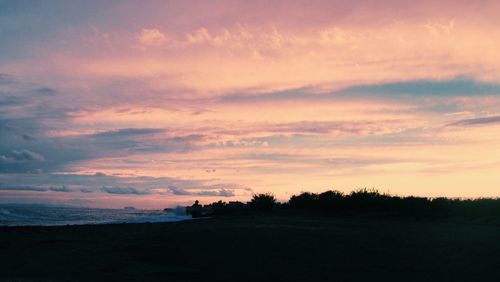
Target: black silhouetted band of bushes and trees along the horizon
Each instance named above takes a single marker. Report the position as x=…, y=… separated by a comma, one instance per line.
x=363, y=201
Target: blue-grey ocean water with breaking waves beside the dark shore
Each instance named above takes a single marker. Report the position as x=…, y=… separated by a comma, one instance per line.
x=39, y=215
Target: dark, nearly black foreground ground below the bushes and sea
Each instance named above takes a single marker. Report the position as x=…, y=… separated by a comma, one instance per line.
x=255, y=249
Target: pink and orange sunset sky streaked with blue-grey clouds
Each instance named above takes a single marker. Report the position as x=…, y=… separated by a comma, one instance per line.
x=159, y=103
